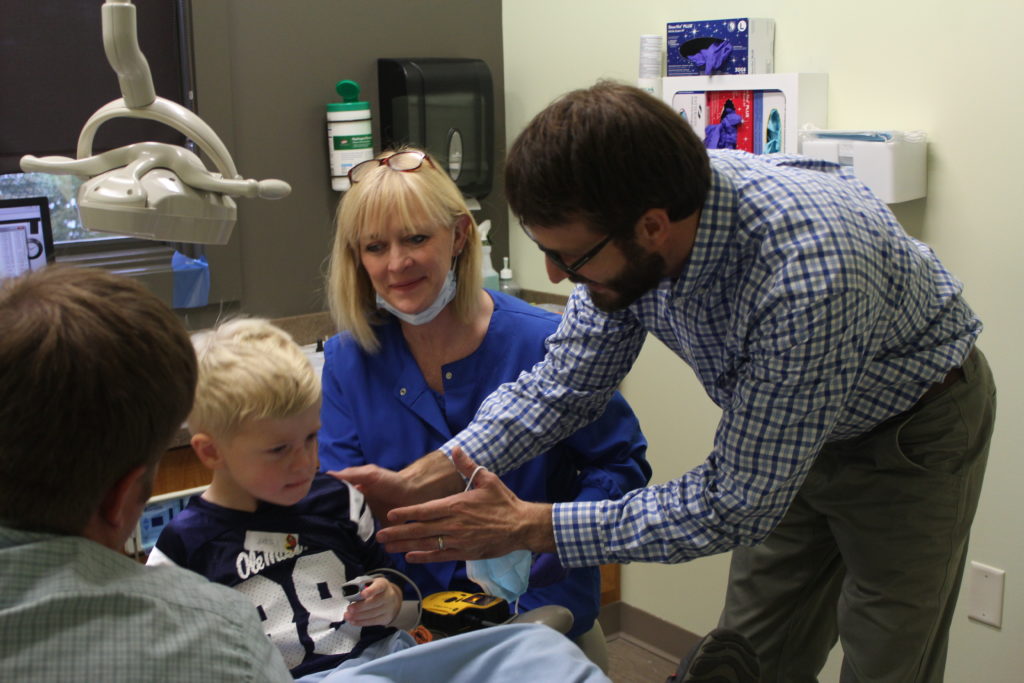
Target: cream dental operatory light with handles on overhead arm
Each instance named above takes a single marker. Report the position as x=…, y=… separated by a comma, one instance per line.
x=153, y=191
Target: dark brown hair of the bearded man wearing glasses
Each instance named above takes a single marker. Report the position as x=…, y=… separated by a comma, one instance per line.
x=606, y=155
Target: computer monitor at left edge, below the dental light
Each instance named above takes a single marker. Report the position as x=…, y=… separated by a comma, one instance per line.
x=26, y=236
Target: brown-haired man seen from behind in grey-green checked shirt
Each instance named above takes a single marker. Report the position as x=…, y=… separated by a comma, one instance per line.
x=96, y=377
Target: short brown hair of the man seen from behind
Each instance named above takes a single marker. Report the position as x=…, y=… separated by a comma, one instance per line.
x=96, y=375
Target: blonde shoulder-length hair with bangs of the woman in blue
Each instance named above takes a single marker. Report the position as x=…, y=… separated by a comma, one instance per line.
x=411, y=197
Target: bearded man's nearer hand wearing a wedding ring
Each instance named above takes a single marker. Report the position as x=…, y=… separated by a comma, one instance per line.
x=487, y=522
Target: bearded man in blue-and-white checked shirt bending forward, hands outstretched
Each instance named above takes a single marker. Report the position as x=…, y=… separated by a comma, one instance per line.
x=857, y=410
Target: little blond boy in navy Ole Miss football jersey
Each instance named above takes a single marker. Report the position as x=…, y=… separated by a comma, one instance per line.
x=270, y=526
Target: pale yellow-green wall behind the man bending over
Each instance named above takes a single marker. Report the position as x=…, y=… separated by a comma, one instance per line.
x=949, y=69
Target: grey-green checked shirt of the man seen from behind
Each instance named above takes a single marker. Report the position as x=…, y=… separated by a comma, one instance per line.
x=74, y=611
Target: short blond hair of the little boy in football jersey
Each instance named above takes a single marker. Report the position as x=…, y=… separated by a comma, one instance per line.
x=249, y=369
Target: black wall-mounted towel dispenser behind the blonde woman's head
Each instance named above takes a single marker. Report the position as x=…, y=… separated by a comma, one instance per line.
x=446, y=107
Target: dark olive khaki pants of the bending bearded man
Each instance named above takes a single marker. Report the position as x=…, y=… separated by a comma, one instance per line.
x=873, y=549
